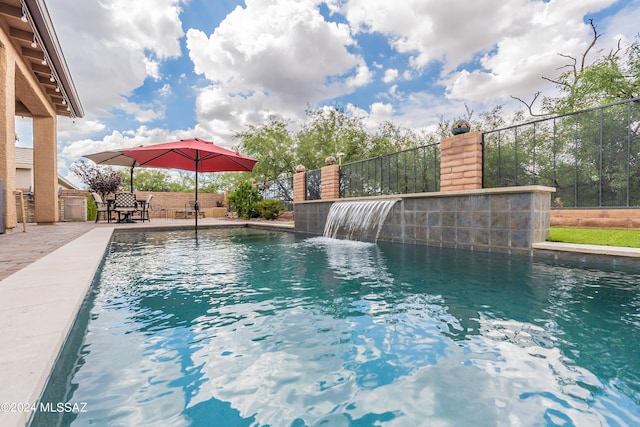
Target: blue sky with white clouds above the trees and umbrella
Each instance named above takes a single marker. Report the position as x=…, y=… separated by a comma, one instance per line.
x=152, y=71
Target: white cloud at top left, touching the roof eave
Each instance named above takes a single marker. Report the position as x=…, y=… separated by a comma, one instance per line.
x=112, y=46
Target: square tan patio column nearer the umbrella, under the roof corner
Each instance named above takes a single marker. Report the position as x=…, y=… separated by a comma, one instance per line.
x=45, y=168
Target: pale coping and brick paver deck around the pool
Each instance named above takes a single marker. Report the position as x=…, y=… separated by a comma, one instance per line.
x=42, y=292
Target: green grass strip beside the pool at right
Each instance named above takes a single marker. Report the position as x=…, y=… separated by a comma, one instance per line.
x=595, y=236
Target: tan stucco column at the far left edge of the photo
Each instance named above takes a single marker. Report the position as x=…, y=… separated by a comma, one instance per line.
x=8, y=134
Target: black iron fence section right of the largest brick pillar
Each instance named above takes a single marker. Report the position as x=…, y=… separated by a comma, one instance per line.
x=590, y=156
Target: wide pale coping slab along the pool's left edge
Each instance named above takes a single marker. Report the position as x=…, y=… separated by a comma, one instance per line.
x=39, y=306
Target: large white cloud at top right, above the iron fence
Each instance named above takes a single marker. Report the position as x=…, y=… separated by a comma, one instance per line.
x=515, y=42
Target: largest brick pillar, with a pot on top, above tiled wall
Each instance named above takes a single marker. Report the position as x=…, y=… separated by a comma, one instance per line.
x=461, y=162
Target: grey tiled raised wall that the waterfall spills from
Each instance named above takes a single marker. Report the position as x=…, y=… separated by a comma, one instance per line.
x=499, y=220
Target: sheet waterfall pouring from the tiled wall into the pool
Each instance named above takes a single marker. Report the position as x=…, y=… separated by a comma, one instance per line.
x=357, y=219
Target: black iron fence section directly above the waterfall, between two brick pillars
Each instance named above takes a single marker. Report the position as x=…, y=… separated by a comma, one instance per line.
x=416, y=170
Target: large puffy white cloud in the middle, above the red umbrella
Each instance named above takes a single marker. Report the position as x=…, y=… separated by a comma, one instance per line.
x=279, y=55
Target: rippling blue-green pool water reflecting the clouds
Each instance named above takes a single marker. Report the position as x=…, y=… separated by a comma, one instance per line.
x=258, y=328
